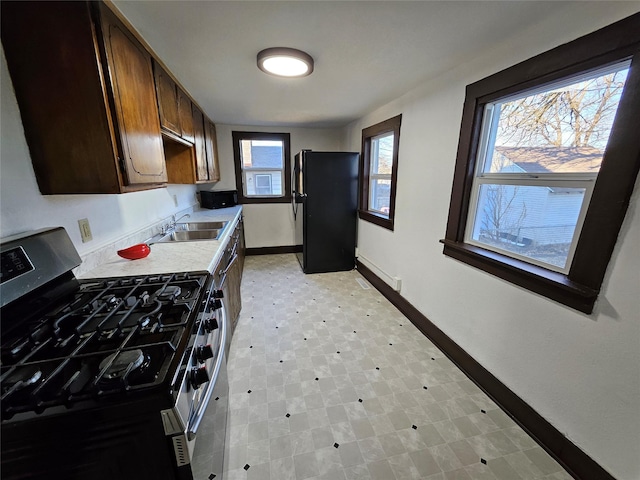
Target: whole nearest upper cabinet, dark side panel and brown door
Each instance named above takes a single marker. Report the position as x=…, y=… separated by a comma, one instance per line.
x=85, y=89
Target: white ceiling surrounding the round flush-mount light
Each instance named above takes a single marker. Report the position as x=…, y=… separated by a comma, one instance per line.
x=366, y=53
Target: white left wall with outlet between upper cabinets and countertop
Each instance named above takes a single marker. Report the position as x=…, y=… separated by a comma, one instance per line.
x=111, y=217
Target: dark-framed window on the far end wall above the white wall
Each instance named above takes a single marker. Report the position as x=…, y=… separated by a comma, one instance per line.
x=263, y=167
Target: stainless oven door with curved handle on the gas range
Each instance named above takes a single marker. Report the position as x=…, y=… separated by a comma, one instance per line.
x=208, y=425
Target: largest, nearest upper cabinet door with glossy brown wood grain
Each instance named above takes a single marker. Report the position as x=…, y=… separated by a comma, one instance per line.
x=135, y=104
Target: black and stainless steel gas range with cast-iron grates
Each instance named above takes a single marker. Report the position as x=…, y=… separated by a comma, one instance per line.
x=114, y=378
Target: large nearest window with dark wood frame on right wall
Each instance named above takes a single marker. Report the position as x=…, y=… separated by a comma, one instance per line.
x=546, y=166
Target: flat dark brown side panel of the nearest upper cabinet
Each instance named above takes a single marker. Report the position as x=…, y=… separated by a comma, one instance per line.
x=57, y=78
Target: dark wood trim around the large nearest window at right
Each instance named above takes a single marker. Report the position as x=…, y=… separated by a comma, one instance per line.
x=620, y=165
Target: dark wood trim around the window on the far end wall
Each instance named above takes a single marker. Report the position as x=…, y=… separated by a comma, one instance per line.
x=286, y=139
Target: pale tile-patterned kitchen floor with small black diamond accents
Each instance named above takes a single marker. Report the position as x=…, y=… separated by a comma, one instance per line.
x=329, y=381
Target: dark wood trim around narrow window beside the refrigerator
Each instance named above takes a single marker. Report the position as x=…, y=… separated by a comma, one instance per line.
x=390, y=125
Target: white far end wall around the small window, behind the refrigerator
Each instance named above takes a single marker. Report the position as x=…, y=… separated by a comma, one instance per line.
x=268, y=225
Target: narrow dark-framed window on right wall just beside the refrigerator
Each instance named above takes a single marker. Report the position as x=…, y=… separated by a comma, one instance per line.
x=379, y=171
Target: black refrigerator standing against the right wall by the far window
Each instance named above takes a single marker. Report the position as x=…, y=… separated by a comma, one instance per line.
x=325, y=202
